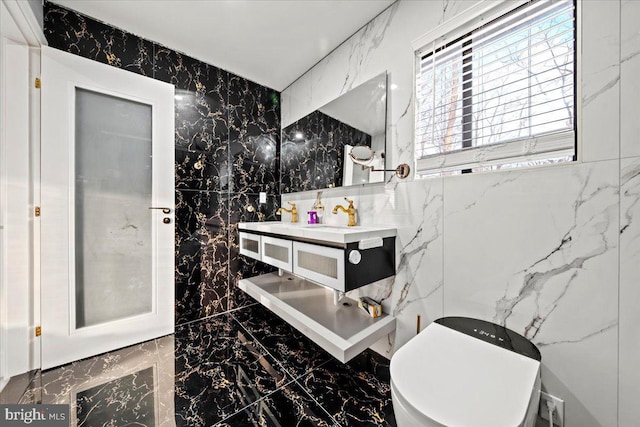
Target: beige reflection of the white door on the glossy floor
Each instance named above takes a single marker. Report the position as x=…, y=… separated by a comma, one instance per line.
x=130, y=386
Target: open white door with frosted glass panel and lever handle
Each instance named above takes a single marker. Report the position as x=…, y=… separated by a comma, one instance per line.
x=107, y=158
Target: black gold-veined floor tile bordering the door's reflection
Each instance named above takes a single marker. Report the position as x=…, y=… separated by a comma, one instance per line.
x=220, y=370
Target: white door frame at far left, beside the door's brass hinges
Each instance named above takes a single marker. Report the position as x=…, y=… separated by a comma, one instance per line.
x=22, y=315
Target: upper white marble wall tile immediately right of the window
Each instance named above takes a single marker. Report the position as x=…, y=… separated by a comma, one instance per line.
x=600, y=77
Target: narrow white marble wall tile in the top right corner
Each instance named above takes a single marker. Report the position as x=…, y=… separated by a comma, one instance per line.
x=629, y=81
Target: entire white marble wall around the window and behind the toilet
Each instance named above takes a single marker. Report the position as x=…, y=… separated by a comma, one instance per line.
x=518, y=247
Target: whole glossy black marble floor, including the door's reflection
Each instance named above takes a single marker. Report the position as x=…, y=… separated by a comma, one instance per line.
x=242, y=368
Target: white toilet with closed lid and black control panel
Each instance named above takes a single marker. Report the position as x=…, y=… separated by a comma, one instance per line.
x=463, y=372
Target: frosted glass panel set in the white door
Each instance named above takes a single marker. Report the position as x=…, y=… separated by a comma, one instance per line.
x=113, y=228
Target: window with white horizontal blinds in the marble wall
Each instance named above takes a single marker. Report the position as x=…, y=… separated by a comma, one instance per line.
x=500, y=95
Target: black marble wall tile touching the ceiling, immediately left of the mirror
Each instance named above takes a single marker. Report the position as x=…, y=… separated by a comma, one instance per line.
x=254, y=136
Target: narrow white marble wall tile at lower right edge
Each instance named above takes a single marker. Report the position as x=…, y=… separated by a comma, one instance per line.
x=629, y=292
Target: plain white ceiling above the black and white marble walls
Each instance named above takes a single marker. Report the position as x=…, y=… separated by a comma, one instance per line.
x=272, y=42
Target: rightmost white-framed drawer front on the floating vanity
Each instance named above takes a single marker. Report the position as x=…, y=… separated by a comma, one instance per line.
x=321, y=264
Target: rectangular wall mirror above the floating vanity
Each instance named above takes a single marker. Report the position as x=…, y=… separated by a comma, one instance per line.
x=315, y=148
